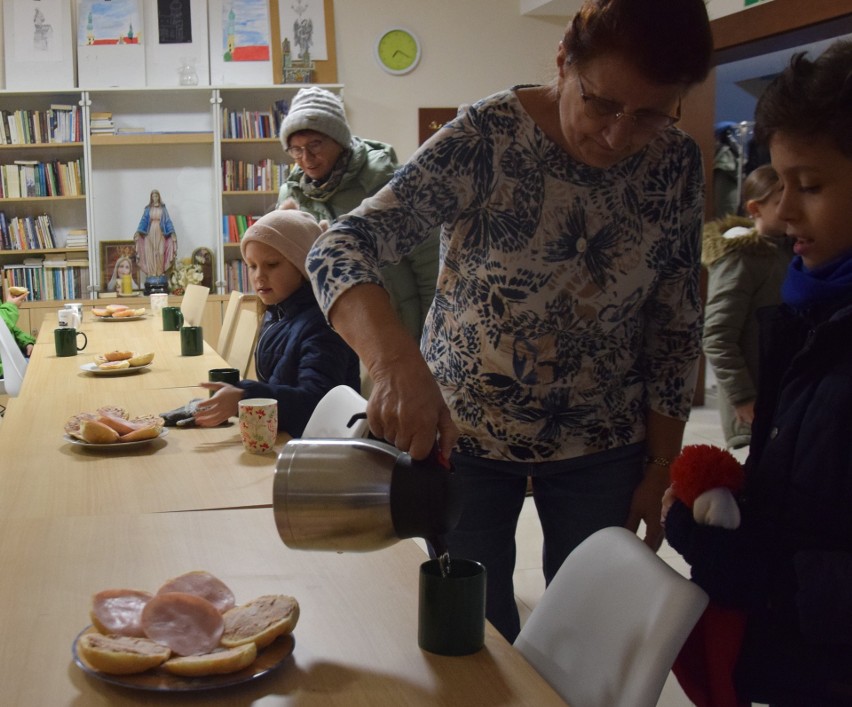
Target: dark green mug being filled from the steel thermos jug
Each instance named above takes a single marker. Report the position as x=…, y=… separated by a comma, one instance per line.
x=451, y=612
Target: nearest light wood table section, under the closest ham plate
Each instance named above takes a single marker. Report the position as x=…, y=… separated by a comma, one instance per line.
x=355, y=642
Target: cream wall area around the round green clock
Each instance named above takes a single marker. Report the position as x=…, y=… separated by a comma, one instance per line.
x=470, y=49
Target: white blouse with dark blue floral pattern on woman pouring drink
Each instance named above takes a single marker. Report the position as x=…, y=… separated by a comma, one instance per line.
x=567, y=299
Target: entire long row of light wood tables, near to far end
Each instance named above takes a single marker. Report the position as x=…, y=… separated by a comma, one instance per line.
x=73, y=522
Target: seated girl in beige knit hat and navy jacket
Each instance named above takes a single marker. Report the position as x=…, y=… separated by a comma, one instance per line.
x=298, y=357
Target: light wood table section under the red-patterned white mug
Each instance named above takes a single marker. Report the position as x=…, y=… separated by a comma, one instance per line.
x=189, y=469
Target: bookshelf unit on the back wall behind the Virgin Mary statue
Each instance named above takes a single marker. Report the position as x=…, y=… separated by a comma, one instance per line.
x=183, y=141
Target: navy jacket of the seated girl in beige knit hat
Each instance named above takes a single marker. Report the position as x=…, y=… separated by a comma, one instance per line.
x=298, y=359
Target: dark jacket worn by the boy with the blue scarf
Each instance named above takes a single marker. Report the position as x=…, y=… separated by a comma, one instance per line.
x=789, y=564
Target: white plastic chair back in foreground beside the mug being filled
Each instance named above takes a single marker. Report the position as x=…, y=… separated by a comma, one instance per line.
x=611, y=623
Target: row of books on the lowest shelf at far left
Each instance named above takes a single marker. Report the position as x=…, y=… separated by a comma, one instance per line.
x=54, y=279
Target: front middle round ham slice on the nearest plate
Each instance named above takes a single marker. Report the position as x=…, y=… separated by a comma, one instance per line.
x=186, y=623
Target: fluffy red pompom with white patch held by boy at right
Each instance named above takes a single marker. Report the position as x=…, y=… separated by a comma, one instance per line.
x=706, y=479
